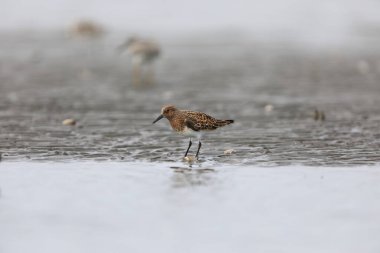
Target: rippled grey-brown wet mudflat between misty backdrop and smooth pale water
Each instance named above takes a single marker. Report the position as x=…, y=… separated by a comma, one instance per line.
x=47, y=78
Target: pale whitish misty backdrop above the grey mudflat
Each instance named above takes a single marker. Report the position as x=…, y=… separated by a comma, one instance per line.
x=323, y=22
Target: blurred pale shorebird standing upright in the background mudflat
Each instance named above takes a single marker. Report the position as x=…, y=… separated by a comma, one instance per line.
x=143, y=53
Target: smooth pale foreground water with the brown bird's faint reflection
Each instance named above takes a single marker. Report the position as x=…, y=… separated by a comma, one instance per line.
x=167, y=207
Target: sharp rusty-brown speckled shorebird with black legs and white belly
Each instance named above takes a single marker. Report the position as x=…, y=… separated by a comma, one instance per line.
x=190, y=123
